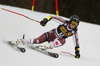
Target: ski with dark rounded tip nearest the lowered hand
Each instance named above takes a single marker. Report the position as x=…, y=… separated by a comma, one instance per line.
x=55, y=55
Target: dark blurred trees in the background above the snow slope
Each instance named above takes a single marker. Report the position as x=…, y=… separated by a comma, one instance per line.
x=87, y=10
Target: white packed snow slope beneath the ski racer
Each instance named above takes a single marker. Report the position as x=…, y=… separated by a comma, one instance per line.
x=13, y=26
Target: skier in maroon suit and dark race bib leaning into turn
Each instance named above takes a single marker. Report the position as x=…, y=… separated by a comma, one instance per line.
x=56, y=37
